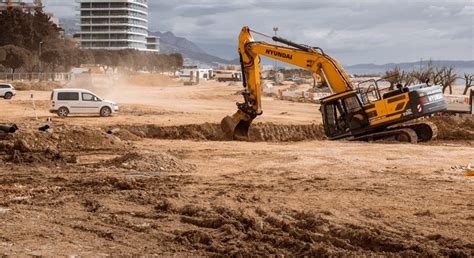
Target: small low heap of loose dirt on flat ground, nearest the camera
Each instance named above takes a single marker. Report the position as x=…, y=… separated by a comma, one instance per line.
x=149, y=162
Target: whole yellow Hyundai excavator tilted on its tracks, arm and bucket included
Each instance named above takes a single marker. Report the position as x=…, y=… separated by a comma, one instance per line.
x=356, y=113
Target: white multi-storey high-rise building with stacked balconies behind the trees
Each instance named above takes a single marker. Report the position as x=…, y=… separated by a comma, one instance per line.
x=114, y=25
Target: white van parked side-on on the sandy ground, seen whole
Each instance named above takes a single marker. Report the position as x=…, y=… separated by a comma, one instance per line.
x=80, y=101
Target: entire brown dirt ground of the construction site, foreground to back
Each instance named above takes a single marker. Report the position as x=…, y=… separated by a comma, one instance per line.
x=167, y=183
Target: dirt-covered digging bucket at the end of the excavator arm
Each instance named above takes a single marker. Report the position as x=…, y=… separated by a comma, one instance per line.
x=237, y=127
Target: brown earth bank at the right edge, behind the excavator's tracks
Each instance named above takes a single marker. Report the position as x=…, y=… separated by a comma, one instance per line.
x=454, y=128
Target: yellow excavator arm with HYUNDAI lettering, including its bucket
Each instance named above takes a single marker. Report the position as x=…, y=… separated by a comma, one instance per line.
x=305, y=57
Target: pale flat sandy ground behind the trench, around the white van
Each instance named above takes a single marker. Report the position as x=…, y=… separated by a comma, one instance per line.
x=165, y=105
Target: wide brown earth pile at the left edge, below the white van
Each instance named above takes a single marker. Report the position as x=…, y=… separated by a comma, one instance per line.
x=59, y=144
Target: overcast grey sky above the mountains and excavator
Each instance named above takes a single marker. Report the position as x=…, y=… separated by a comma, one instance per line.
x=355, y=31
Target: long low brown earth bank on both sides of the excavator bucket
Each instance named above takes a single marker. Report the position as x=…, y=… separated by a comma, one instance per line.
x=213, y=132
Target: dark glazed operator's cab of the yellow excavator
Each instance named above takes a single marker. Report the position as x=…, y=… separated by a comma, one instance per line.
x=343, y=114
